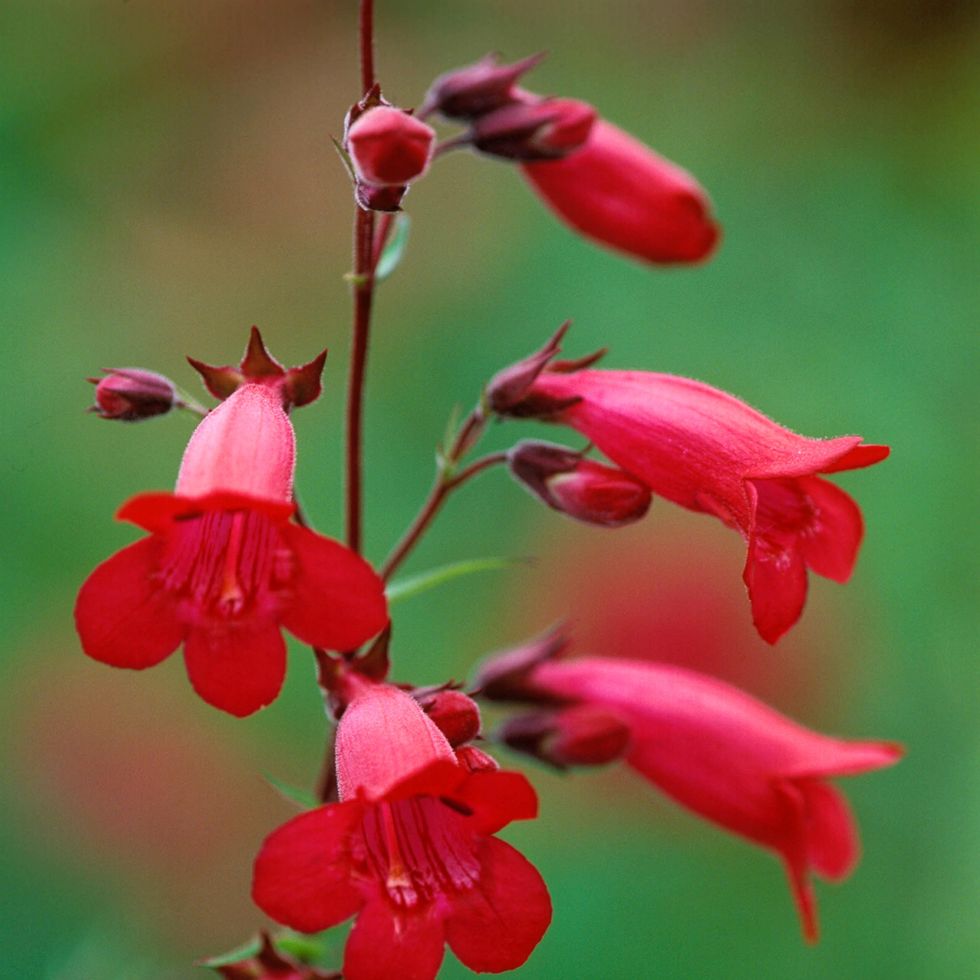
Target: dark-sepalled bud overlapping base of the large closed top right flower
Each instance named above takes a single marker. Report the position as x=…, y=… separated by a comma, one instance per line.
x=536, y=129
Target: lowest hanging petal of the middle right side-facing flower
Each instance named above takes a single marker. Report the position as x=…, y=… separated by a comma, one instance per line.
x=775, y=575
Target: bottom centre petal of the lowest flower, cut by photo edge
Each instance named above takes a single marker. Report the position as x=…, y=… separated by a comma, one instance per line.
x=384, y=943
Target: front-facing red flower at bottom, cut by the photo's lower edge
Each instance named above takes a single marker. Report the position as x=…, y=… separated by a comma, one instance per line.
x=409, y=850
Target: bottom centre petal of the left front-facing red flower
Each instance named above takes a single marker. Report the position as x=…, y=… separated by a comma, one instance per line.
x=238, y=666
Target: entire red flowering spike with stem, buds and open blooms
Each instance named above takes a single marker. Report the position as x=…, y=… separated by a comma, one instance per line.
x=404, y=838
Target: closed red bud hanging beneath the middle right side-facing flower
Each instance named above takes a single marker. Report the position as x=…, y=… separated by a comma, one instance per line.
x=588, y=491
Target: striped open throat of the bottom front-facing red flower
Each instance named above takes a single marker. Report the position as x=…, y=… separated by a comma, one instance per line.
x=418, y=849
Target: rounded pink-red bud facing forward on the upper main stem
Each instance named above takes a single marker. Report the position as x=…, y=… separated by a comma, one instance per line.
x=389, y=147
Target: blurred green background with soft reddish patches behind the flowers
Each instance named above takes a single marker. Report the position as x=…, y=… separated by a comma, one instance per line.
x=167, y=180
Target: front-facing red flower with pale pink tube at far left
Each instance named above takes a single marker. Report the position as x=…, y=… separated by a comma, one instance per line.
x=223, y=569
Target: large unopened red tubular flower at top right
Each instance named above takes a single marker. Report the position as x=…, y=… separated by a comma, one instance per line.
x=618, y=192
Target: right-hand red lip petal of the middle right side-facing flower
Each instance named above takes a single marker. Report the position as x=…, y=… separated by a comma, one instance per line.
x=831, y=540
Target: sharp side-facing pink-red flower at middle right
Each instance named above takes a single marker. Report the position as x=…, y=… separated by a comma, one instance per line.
x=710, y=452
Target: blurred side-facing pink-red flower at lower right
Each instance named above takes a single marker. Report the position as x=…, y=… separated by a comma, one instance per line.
x=733, y=760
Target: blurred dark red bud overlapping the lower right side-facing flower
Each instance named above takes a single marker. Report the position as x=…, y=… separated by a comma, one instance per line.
x=579, y=735
